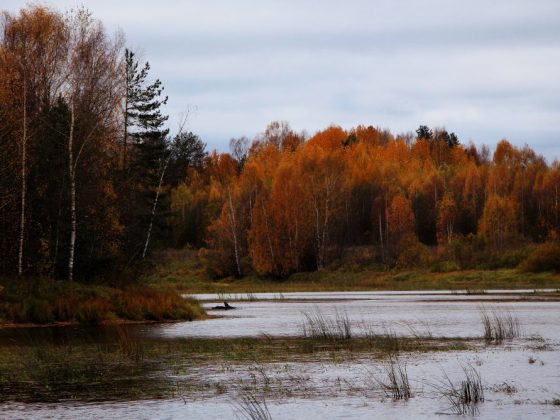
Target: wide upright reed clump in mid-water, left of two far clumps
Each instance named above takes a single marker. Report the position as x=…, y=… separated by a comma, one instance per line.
x=318, y=326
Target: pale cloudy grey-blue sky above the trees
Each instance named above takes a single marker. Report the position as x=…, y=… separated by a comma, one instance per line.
x=484, y=70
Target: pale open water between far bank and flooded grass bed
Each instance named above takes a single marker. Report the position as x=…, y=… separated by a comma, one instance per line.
x=442, y=313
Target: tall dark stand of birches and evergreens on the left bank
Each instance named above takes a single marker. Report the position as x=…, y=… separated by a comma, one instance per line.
x=84, y=154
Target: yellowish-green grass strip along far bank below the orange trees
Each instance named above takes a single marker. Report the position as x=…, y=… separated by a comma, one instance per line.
x=182, y=271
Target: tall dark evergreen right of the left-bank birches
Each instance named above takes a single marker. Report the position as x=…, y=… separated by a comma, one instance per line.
x=146, y=156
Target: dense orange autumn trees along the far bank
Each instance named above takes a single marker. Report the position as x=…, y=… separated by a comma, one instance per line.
x=286, y=203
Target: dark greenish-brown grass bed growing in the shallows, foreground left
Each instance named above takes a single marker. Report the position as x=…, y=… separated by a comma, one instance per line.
x=58, y=364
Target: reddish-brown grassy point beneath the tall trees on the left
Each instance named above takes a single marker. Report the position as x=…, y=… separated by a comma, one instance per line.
x=44, y=301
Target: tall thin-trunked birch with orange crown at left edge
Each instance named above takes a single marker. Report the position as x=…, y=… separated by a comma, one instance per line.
x=31, y=47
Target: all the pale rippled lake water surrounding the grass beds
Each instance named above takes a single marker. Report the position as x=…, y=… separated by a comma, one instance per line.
x=345, y=388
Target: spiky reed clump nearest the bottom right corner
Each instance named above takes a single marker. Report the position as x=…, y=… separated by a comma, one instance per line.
x=464, y=396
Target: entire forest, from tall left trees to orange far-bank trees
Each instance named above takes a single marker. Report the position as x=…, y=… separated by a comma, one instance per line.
x=92, y=181
